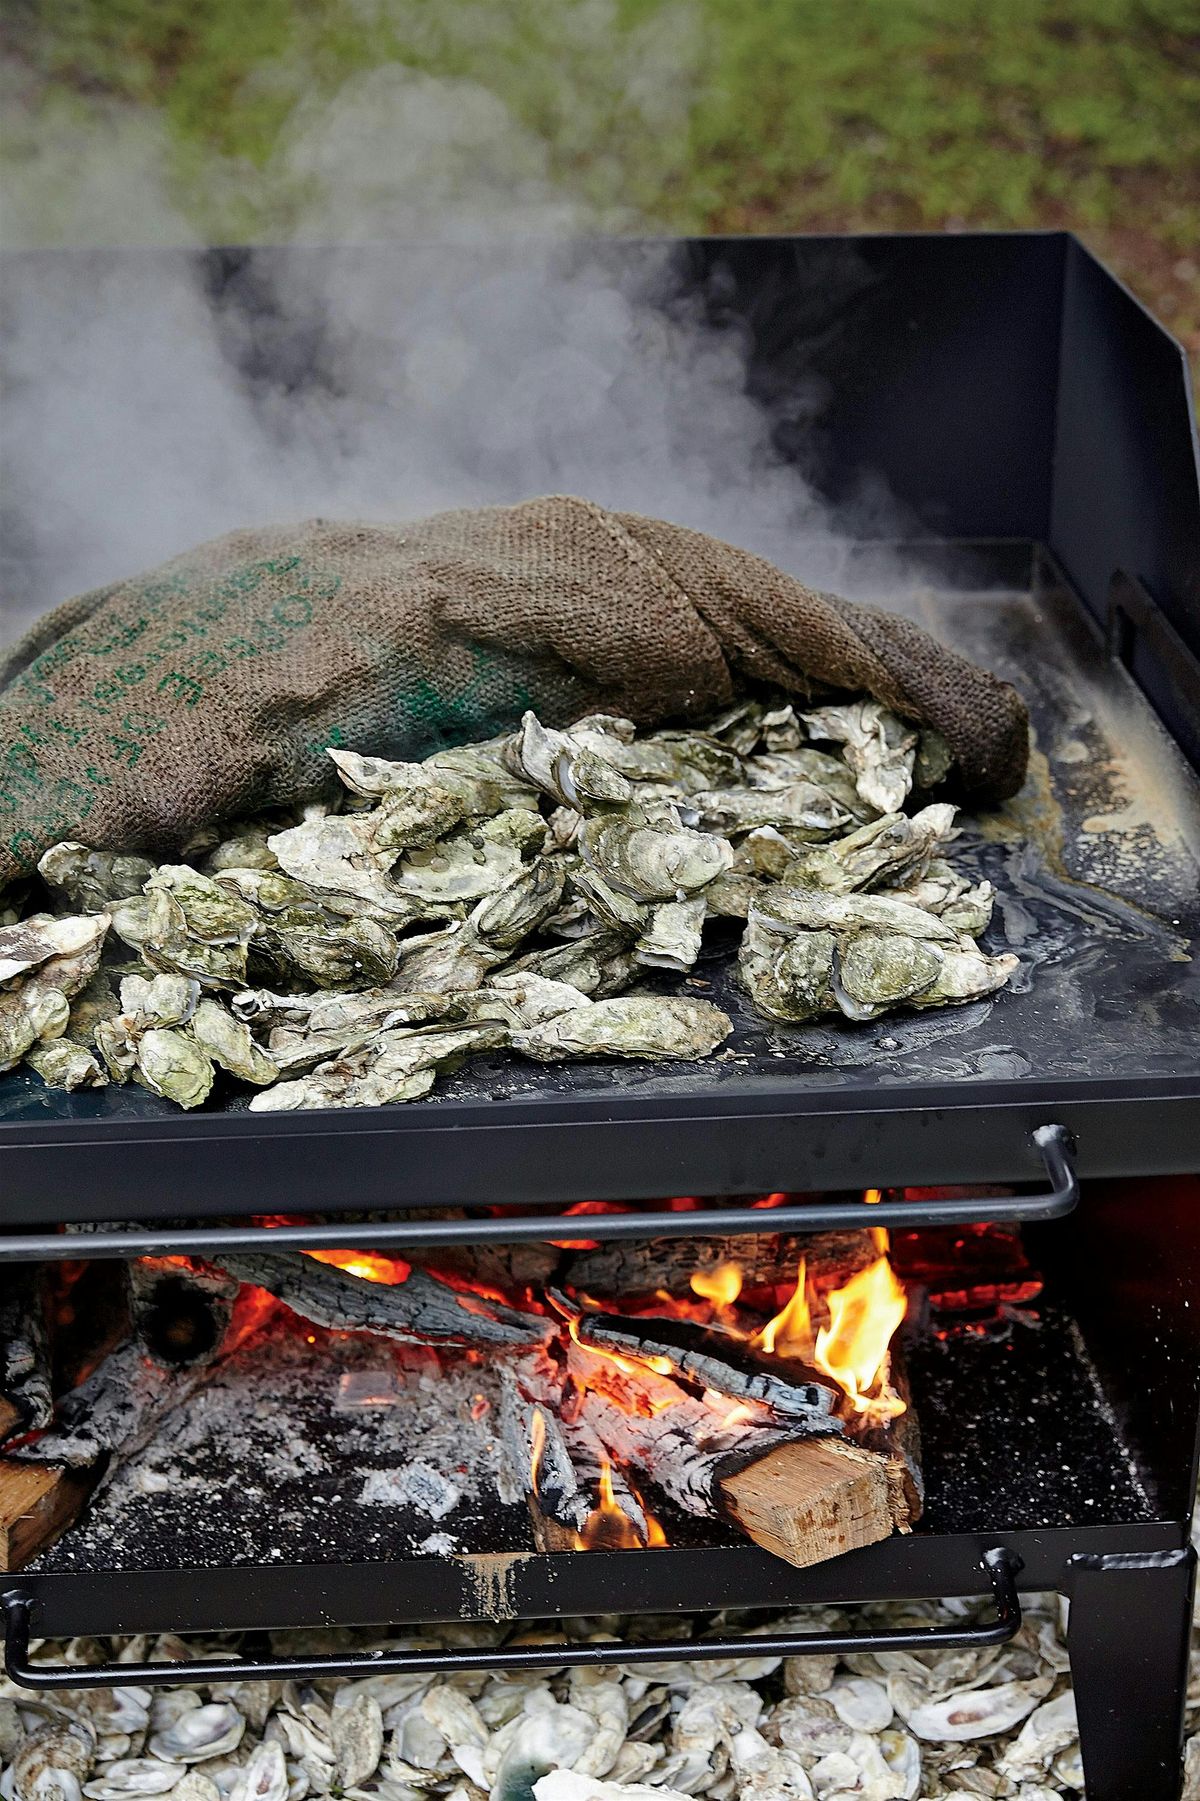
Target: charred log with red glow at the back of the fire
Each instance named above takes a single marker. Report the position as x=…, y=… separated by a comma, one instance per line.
x=635, y=1271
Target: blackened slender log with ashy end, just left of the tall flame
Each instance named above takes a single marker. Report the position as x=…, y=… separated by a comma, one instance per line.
x=711, y=1361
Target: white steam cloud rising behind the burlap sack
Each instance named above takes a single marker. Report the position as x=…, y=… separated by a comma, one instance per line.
x=147, y=412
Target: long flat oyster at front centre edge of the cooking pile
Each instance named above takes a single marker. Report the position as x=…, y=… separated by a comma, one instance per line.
x=637, y=1026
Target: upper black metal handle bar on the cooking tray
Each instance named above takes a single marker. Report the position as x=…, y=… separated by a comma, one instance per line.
x=541, y=1229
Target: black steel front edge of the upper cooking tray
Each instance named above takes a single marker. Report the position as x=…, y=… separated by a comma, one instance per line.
x=626, y=1157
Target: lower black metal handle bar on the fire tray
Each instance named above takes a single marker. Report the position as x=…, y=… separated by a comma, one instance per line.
x=999, y=1566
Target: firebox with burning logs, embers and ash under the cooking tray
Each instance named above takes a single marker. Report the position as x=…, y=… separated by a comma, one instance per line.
x=954, y=1359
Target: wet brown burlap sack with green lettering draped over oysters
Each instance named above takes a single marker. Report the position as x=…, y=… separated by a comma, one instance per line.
x=215, y=683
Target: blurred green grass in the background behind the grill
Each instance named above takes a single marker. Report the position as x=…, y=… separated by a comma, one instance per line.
x=687, y=114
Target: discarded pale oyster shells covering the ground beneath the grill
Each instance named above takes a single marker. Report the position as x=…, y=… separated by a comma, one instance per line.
x=900, y=1726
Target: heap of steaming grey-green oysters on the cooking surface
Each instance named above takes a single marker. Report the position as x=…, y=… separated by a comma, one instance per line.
x=505, y=896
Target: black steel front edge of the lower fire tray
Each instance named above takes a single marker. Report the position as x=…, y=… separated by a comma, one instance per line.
x=534, y=1586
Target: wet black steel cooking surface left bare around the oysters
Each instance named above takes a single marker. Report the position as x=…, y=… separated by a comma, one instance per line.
x=1098, y=874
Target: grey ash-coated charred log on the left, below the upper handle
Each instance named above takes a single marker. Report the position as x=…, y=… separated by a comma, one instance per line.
x=419, y=1310
